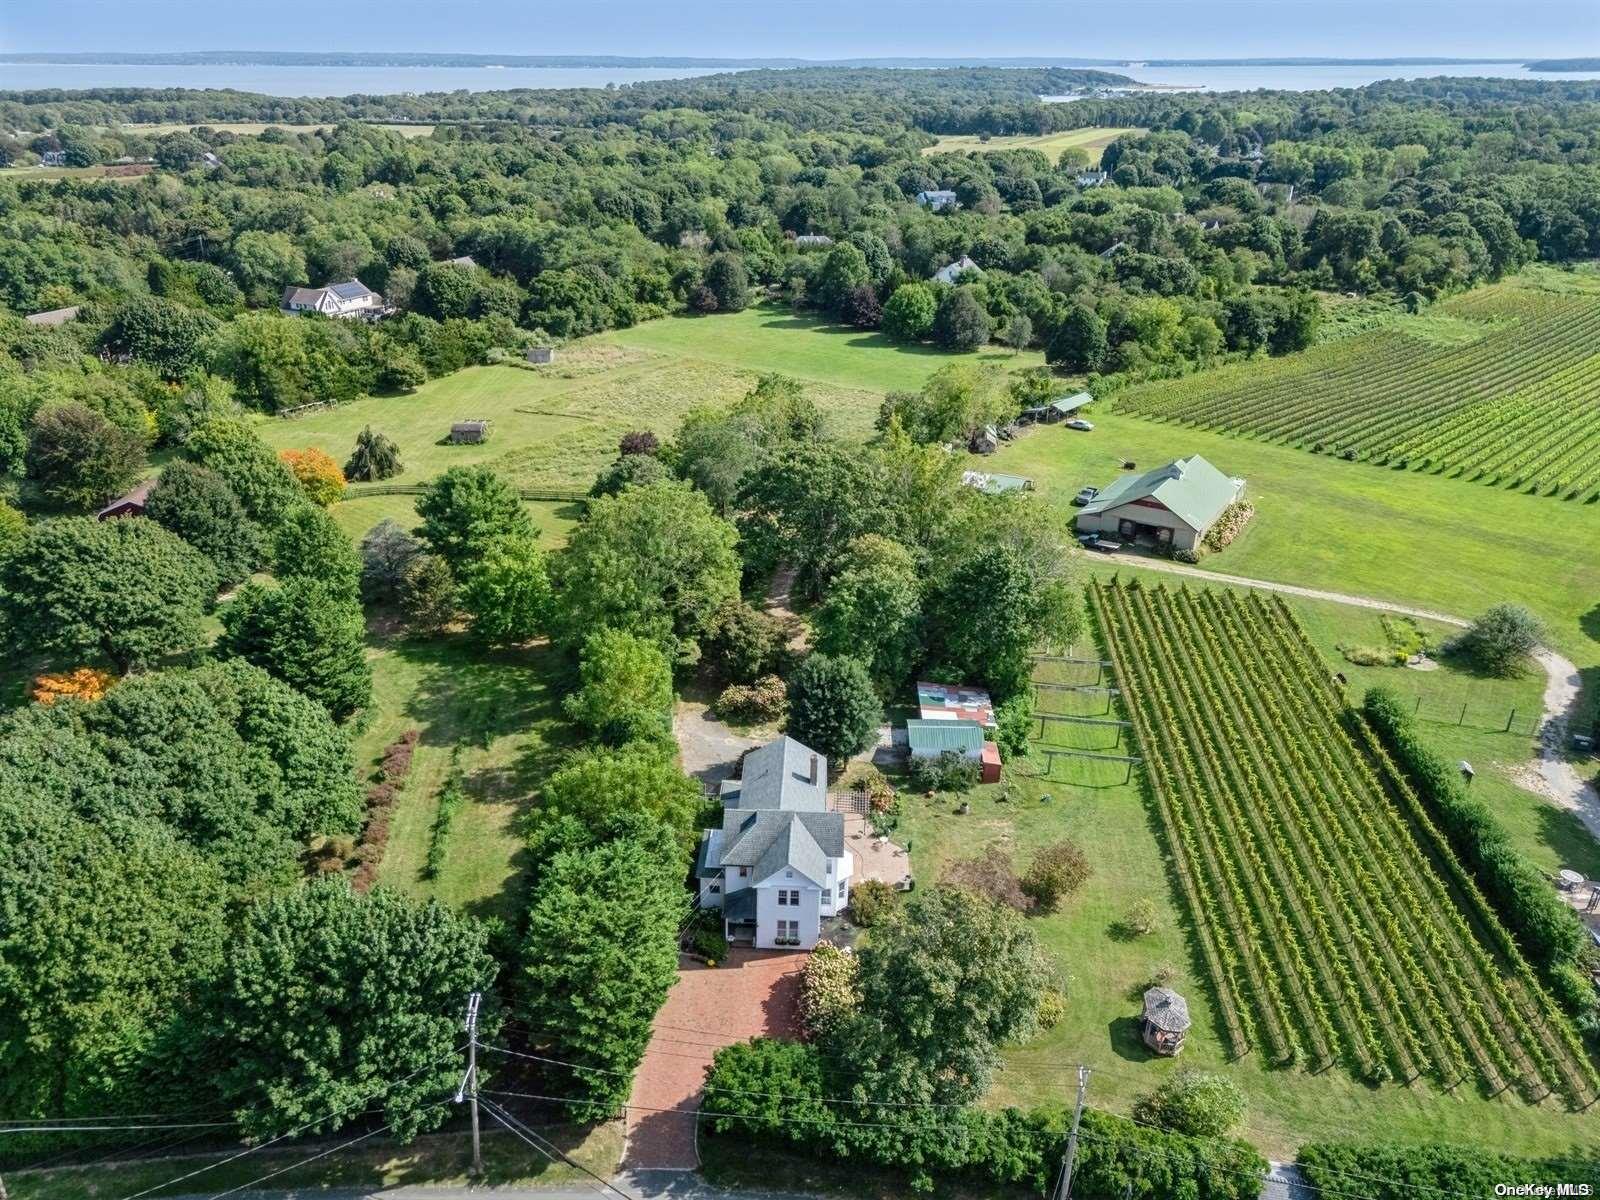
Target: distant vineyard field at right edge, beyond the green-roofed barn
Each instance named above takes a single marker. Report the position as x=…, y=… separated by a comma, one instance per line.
x=1513, y=407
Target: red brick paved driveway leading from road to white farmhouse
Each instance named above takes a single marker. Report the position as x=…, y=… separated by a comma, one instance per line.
x=753, y=993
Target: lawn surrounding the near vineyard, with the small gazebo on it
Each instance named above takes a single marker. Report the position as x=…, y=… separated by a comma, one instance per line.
x=1103, y=970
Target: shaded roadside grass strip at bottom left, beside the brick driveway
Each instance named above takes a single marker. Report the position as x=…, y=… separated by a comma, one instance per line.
x=441, y=1159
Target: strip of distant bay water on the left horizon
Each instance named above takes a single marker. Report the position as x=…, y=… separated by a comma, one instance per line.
x=324, y=81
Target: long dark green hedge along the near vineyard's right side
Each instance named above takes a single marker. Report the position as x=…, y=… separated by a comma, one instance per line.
x=1550, y=934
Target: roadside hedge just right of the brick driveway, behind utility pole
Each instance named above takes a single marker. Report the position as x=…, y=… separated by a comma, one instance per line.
x=777, y=1092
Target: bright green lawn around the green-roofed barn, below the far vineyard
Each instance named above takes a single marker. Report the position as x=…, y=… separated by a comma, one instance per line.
x=1420, y=540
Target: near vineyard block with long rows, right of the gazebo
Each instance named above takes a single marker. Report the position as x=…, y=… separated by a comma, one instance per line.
x=1287, y=822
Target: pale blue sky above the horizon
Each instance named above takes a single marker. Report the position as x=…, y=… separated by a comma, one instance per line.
x=820, y=28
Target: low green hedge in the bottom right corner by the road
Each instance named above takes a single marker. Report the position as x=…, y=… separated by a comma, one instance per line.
x=1410, y=1172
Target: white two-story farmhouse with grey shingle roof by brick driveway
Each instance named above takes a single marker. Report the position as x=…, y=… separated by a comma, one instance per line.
x=778, y=865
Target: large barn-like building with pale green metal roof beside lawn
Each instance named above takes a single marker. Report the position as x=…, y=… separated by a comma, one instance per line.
x=1175, y=505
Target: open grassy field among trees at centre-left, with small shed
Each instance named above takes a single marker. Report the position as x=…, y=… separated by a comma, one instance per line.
x=556, y=426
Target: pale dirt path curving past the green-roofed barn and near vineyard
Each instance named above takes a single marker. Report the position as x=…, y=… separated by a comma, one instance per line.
x=1553, y=777
